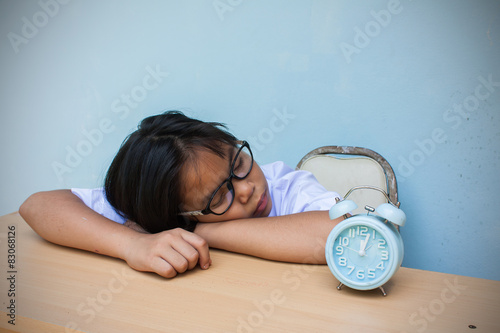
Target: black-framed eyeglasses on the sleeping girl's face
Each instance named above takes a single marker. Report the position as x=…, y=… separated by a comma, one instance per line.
x=223, y=197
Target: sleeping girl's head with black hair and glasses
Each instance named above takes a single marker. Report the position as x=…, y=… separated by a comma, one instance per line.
x=168, y=170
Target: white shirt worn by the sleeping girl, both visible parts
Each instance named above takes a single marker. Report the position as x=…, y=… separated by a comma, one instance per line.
x=291, y=192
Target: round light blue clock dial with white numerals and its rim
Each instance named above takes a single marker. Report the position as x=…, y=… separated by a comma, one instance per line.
x=363, y=252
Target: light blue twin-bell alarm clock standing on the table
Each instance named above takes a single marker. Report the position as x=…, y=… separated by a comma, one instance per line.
x=365, y=250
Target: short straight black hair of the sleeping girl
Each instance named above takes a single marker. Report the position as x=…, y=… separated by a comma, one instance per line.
x=143, y=182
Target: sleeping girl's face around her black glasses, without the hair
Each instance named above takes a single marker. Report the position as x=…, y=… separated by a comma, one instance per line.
x=251, y=194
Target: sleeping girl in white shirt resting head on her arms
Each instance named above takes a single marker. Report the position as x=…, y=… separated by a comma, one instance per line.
x=179, y=185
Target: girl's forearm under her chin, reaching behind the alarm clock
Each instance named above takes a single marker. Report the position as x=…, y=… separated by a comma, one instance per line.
x=299, y=238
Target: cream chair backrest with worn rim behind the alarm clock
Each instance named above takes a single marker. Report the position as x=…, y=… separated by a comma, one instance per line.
x=340, y=168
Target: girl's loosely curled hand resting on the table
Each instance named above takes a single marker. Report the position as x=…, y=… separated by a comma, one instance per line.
x=166, y=253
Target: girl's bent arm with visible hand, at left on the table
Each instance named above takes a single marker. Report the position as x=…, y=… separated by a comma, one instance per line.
x=62, y=218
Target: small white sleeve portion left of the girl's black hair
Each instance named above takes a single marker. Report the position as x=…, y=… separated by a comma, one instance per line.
x=96, y=200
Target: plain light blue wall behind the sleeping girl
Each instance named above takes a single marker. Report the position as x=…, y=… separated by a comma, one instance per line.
x=416, y=81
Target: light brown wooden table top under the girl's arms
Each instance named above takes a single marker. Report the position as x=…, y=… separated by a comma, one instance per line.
x=59, y=289
